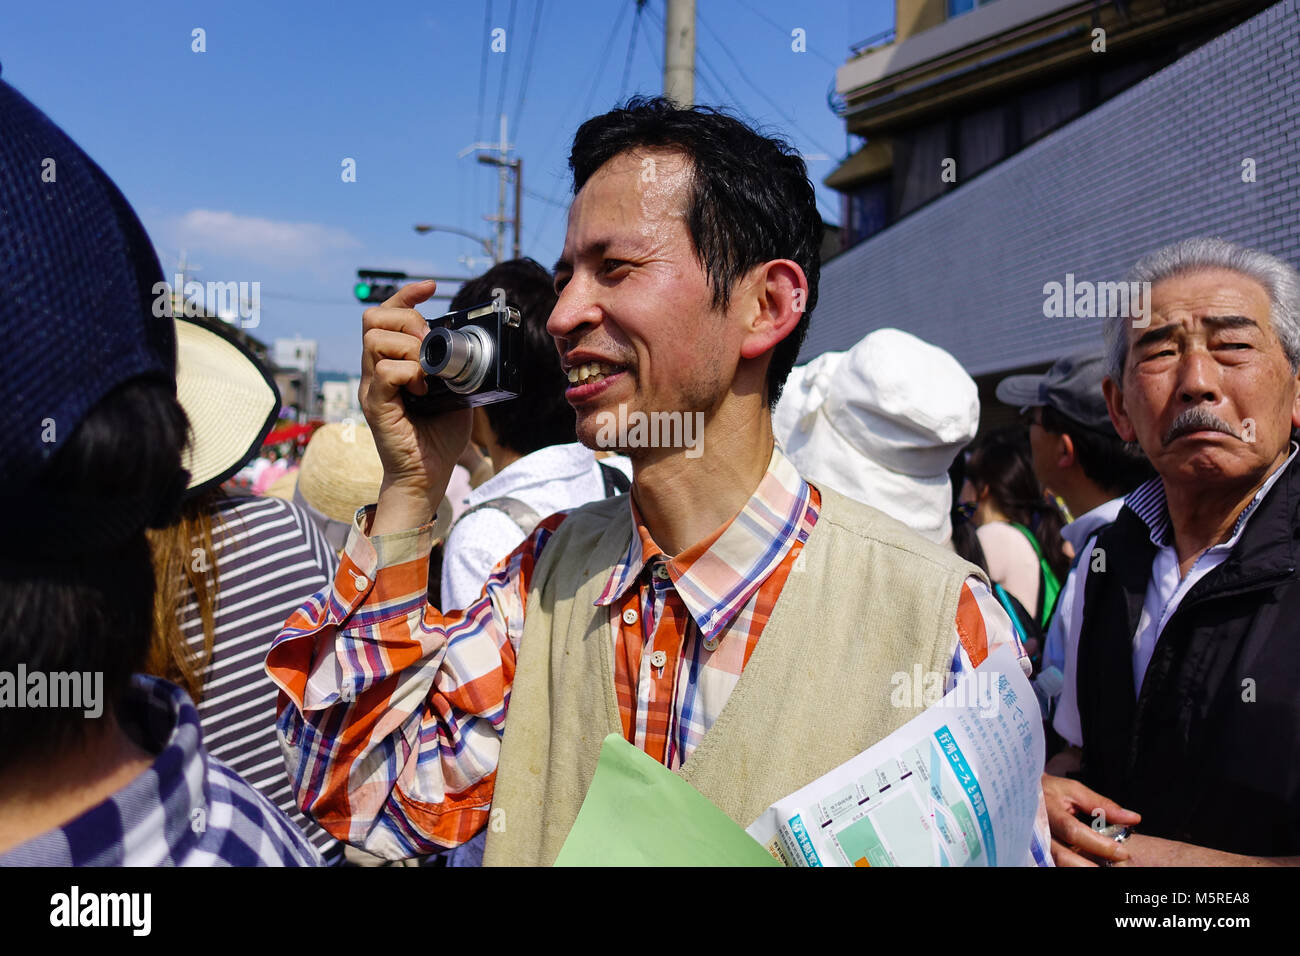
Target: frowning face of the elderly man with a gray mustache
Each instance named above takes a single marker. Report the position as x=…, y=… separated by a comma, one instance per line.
x=1208, y=391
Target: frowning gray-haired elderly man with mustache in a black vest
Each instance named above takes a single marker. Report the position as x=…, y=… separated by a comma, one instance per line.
x=1182, y=693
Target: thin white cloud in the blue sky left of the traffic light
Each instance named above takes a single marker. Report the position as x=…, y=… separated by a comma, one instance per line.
x=262, y=240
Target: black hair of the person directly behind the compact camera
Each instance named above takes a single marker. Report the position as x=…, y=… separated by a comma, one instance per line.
x=541, y=417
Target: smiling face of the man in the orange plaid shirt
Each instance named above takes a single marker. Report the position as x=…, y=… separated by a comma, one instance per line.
x=635, y=300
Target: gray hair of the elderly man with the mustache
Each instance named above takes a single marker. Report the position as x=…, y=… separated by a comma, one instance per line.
x=1279, y=278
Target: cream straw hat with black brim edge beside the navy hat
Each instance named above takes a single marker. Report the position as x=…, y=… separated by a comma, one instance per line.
x=231, y=399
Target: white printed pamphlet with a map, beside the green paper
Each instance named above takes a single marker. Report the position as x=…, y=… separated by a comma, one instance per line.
x=956, y=786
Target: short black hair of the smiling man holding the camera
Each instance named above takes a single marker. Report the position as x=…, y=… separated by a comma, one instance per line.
x=751, y=198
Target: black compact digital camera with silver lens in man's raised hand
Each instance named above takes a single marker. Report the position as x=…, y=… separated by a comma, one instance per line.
x=470, y=358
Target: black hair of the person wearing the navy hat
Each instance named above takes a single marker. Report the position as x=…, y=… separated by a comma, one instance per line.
x=93, y=613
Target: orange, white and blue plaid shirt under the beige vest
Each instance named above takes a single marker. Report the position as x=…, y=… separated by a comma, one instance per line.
x=393, y=711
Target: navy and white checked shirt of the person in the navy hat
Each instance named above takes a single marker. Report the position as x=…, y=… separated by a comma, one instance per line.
x=188, y=810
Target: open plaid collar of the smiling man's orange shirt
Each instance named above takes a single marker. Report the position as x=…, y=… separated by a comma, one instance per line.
x=717, y=577
